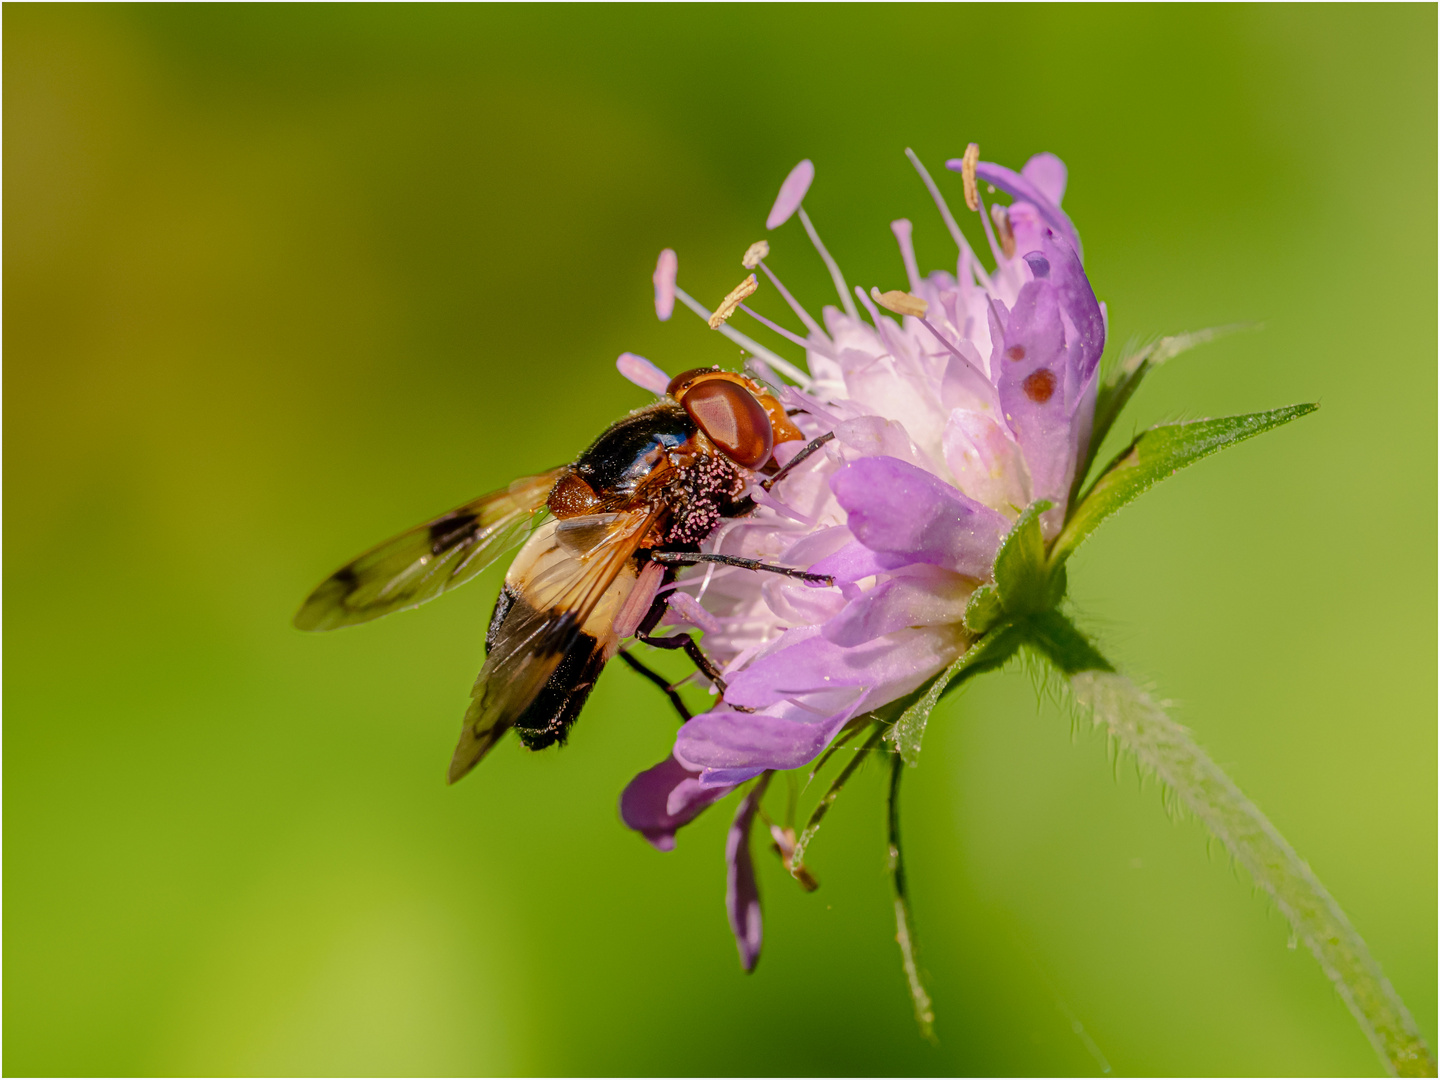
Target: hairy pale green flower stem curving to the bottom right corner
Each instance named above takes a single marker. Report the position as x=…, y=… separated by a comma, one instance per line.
x=1164, y=747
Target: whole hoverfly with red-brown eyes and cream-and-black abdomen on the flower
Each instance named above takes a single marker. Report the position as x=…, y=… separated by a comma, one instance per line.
x=607, y=534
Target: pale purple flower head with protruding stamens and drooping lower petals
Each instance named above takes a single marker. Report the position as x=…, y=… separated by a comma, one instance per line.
x=953, y=405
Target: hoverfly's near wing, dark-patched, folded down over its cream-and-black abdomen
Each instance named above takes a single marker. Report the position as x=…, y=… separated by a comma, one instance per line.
x=562, y=575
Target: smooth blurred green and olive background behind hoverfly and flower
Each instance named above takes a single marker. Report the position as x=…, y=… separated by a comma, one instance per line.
x=282, y=282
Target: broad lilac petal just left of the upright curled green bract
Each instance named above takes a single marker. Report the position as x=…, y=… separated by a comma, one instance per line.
x=898, y=509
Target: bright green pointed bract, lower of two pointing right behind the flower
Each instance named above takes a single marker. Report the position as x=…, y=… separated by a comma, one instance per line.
x=1151, y=459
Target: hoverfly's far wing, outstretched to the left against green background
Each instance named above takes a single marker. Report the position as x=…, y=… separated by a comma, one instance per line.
x=420, y=565
